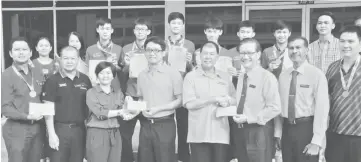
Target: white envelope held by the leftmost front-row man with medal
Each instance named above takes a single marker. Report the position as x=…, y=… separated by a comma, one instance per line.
x=41, y=108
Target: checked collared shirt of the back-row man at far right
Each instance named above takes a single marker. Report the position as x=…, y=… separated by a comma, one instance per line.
x=322, y=58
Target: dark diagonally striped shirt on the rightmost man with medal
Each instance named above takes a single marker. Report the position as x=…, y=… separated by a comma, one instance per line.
x=345, y=113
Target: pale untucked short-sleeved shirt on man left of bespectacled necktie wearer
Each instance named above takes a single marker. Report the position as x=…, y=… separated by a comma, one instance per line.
x=203, y=125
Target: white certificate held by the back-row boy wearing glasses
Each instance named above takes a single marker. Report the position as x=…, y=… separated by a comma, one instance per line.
x=138, y=63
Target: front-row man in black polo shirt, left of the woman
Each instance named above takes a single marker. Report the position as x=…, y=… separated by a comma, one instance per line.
x=67, y=91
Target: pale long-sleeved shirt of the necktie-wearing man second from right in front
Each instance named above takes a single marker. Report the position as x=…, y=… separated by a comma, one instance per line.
x=310, y=98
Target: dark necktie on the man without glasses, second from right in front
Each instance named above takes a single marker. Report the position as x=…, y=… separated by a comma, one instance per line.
x=292, y=97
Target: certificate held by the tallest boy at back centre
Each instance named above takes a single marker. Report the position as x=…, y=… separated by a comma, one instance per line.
x=177, y=58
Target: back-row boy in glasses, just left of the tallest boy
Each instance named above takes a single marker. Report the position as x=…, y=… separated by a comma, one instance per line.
x=141, y=31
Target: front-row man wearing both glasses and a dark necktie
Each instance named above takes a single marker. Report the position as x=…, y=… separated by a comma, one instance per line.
x=258, y=103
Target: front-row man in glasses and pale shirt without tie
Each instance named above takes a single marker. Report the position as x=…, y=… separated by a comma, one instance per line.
x=160, y=86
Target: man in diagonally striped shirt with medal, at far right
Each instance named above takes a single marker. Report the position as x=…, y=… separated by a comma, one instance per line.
x=344, y=81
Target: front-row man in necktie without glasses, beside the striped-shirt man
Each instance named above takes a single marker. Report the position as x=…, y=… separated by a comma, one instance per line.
x=303, y=120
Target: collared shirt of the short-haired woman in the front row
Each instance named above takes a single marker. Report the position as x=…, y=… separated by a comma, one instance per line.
x=99, y=104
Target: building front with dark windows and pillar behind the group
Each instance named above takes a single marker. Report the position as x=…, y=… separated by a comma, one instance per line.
x=55, y=19
